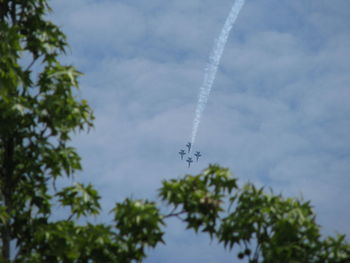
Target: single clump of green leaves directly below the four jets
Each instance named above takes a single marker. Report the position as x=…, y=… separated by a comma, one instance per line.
x=200, y=197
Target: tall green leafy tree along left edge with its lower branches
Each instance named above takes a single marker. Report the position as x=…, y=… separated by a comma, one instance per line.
x=39, y=110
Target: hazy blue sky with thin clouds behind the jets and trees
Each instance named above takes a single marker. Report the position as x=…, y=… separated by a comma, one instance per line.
x=278, y=114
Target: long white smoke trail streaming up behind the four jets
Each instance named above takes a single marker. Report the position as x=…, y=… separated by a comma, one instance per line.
x=212, y=66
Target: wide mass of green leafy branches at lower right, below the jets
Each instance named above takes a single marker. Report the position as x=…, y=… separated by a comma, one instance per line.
x=266, y=227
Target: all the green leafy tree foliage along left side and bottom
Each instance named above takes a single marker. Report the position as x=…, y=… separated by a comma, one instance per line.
x=40, y=109
